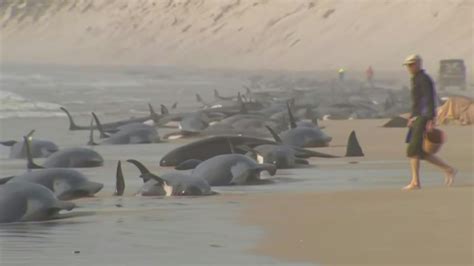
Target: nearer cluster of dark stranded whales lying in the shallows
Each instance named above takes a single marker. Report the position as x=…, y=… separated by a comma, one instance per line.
x=216, y=160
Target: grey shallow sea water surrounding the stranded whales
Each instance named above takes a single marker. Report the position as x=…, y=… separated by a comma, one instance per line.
x=127, y=230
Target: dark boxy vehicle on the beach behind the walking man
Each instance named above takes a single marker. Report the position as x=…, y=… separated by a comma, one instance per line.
x=452, y=72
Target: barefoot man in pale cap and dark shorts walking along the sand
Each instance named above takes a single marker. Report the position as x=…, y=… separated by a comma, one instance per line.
x=422, y=118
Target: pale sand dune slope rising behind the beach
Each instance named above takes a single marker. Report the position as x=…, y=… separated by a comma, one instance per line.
x=276, y=34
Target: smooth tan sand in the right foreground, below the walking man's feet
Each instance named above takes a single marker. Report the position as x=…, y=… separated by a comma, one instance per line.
x=381, y=226
